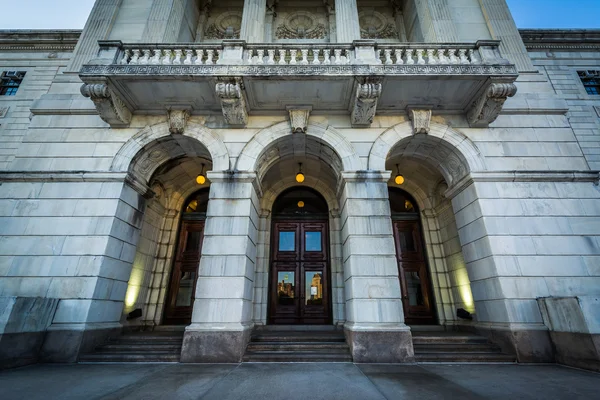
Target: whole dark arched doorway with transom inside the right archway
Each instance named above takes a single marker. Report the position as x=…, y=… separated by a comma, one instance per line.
x=415, y=282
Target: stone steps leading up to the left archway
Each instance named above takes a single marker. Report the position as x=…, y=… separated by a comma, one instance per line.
x=158, y=346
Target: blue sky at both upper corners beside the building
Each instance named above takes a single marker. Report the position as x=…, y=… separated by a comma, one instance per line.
x=71, y=14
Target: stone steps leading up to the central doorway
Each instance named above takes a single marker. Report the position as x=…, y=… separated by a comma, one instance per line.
x=297, y=344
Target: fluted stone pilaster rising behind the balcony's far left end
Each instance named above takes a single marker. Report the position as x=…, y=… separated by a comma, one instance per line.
x=97, y=27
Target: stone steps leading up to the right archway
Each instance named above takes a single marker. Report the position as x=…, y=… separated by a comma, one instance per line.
x=456, y=347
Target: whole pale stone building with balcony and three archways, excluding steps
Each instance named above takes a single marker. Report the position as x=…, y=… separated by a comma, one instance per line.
x=199, y=163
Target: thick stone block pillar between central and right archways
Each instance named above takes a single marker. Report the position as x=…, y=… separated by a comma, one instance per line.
x=375, y=328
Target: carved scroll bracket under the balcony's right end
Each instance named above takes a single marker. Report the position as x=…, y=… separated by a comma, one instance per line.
x=486, y=109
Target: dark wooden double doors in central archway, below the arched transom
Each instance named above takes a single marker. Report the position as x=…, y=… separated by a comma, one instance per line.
x=299, y=284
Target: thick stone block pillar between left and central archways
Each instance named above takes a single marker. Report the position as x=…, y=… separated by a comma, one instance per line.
x=222, y=316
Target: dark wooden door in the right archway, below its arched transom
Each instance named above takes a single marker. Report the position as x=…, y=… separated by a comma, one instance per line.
x=414, y=278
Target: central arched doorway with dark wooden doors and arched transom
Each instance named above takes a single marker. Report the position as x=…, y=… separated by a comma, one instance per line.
x=300, y=284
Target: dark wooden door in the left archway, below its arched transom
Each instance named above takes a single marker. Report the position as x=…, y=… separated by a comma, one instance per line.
x=180, y=299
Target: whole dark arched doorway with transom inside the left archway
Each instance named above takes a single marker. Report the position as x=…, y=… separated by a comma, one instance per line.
x=184, y=274
